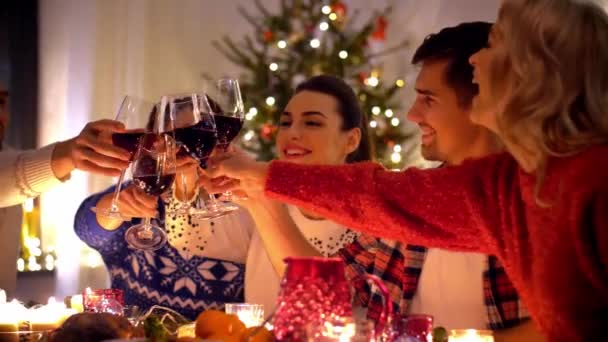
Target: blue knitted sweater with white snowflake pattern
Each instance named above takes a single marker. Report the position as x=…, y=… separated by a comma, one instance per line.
x=162, y=277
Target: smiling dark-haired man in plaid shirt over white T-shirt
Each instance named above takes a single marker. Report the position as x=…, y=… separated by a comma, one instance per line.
x=461, y=290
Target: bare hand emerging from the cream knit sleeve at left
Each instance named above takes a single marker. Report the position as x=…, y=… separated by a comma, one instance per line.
x=92, y=151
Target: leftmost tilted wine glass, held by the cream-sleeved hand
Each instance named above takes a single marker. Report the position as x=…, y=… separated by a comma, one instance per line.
x=136, y=114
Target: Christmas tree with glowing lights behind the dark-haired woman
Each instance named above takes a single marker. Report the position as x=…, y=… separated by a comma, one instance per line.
x=311, y=37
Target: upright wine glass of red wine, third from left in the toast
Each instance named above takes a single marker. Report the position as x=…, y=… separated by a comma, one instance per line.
x=196, y=134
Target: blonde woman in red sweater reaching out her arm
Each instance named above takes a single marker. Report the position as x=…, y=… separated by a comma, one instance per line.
x=542, y=208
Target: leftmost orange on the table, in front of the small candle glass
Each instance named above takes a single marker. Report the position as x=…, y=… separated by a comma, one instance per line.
x=214, y=322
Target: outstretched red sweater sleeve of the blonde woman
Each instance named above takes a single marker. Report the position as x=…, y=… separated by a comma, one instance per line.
x=452, y=207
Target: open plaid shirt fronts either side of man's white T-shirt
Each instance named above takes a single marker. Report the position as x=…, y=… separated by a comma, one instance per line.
x=504, y=308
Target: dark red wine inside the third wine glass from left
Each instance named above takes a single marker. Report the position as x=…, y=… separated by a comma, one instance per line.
x=197, y=140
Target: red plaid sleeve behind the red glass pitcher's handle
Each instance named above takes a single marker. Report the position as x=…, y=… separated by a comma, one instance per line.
x=382, y=258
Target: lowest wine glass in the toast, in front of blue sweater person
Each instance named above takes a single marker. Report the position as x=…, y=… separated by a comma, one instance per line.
x=153, y=172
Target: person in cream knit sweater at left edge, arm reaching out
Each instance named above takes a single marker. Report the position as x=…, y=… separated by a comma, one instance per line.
x=27, y=174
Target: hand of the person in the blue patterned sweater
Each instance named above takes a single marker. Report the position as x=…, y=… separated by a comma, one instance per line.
x=132, y=202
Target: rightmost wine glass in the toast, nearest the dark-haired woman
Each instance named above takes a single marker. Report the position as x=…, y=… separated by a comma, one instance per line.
x=226, y=105
